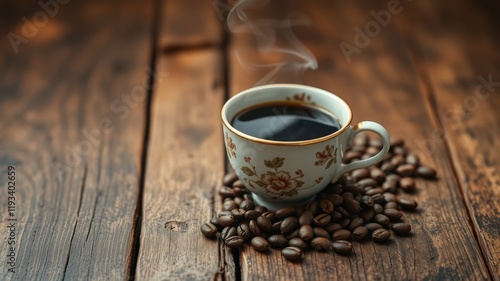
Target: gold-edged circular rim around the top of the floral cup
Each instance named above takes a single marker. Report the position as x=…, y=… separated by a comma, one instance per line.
x=228, y=126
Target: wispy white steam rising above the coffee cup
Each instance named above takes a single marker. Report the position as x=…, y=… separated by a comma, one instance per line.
x=274, y=38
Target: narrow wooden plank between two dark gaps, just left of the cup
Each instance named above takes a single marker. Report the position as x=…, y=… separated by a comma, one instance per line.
x=185, y=163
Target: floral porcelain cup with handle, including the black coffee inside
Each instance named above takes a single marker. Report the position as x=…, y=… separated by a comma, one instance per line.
x=285, y=142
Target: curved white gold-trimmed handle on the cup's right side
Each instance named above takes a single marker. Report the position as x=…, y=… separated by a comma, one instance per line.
x=372, y=127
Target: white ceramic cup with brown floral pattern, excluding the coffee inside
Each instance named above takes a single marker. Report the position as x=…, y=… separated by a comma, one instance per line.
x=280, y=173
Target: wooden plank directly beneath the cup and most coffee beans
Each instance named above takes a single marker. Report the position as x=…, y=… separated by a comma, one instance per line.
x=381, y=84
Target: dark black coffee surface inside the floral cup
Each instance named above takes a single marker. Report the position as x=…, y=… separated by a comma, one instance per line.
x=286, y=122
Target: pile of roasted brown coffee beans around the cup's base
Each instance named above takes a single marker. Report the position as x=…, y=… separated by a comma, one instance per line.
x=364, y=204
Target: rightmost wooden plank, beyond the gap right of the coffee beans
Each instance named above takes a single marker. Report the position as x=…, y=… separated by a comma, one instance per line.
x=462, y=67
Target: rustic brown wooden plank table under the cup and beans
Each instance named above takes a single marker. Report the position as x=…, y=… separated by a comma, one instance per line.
x=109, y=114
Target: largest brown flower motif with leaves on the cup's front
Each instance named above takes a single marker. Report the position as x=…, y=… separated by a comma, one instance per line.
x=275, y=180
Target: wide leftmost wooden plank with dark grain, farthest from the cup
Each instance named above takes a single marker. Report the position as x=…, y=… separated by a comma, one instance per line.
x=75, y=143
